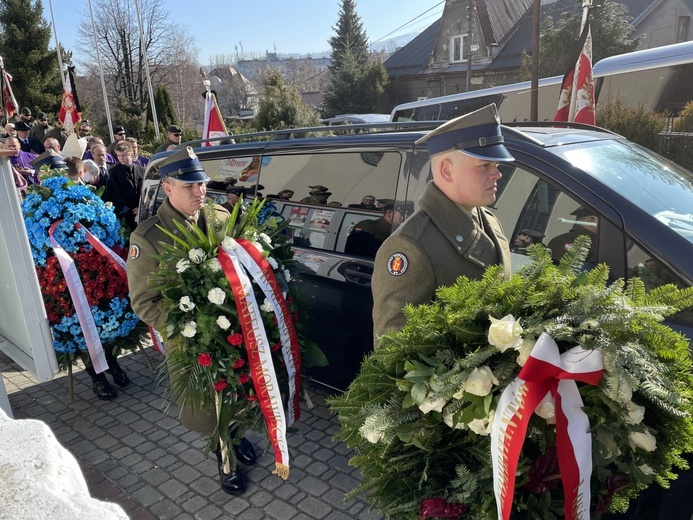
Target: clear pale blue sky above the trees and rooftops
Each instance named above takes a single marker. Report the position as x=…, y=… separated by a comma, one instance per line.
x=297, y=26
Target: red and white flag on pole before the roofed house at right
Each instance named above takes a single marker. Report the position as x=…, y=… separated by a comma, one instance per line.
x=576, y=102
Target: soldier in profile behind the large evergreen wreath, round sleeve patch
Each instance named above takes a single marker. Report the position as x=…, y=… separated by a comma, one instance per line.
x=452, y=234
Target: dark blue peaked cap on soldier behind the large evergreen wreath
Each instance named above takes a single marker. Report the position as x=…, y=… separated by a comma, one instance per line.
x=476, y=134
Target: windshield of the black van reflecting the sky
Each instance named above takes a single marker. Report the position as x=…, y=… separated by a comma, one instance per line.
x=658, y=186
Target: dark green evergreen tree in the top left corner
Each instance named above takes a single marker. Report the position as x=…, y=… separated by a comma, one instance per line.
x=24, y=39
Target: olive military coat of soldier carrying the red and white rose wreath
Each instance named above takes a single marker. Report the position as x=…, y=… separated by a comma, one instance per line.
x=145, y=242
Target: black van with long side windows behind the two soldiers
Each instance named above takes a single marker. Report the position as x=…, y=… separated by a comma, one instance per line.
x=642, y=200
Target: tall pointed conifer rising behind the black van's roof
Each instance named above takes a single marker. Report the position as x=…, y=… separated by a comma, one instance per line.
x=358, y=85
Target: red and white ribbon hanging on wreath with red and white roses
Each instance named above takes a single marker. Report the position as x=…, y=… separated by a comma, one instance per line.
x=237, y=264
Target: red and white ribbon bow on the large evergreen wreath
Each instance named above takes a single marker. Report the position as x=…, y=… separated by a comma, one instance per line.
x=547, y=370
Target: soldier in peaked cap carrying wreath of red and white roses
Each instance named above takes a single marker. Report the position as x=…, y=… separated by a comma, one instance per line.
x=184, y=183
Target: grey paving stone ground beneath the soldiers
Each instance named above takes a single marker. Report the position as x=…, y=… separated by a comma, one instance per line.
x=133, y=451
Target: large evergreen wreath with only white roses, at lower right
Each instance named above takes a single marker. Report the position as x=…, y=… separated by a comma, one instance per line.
x=419, y=413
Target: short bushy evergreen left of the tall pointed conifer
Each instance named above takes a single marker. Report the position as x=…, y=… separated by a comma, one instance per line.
x=281, y=106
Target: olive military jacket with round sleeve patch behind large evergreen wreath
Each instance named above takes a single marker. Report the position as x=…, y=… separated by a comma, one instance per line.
x=435, y=246
